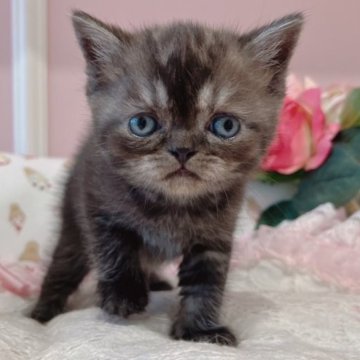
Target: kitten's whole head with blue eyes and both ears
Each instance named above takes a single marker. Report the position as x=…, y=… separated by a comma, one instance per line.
x=184, y=109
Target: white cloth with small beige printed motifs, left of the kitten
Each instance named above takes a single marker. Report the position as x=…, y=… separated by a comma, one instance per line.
x=29, y=193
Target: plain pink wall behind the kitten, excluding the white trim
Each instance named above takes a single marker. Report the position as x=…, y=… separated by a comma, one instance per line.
x=328, y=50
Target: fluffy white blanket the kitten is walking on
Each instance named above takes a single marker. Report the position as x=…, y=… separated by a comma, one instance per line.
x=302, y=321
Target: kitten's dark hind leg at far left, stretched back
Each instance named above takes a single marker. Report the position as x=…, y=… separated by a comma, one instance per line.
x=67, y=269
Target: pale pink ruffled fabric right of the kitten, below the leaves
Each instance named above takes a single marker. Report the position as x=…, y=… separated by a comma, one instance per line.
x=321, y=243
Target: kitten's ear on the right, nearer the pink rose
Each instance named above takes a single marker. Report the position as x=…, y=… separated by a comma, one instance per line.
x=272, y=45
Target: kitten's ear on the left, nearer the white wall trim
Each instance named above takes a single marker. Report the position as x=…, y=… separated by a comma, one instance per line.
x=100, y=43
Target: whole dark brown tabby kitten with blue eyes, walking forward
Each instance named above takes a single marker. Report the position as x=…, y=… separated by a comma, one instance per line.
x=182, y=114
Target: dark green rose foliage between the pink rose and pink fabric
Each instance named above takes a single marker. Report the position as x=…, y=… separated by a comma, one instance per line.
x=336, y=181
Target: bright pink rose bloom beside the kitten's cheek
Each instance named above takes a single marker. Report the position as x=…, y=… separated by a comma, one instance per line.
x=304, y=138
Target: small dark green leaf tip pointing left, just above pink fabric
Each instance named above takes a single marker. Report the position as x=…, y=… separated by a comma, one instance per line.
x=278, y=212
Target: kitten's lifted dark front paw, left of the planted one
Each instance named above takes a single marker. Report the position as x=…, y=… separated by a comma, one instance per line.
x=126, y=302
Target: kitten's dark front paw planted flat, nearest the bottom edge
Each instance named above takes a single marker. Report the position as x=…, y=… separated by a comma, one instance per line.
x=220, y=335
